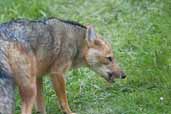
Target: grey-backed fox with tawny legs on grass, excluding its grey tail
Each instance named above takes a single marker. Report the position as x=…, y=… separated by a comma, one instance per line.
x=33, y=48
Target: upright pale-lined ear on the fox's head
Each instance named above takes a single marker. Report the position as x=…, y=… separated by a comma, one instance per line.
x=90, y=34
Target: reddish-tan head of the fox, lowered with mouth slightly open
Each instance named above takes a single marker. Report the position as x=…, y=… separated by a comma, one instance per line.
x=100, y=58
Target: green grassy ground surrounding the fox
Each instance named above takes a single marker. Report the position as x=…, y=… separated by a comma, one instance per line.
x=140, y=33
